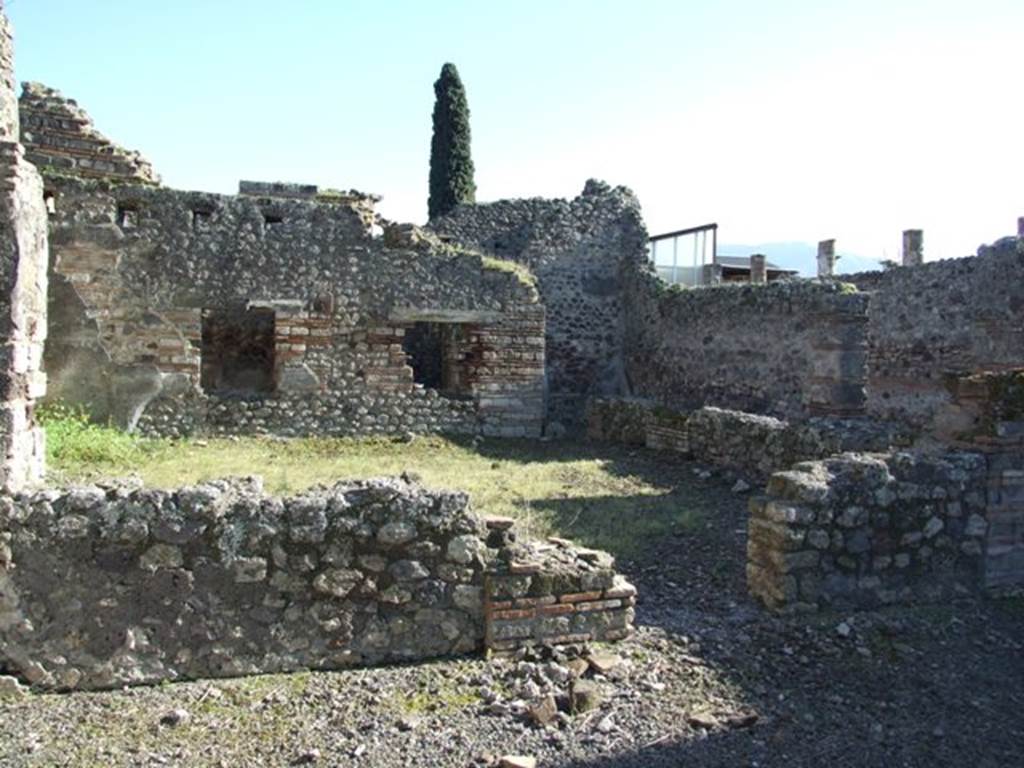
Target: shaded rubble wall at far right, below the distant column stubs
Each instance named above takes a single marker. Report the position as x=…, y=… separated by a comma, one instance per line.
x=937, y=319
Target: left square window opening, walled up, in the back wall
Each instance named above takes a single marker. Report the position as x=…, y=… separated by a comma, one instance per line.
x=238, y=351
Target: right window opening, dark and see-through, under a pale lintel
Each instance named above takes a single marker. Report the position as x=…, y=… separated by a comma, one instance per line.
x=437, y=354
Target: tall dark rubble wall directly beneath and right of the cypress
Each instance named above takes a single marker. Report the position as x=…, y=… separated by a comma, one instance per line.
x=578, y=250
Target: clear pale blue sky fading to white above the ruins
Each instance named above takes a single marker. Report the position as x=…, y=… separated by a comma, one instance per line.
x=787, y=120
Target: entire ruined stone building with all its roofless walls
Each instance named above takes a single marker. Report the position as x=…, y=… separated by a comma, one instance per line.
x=883, y=415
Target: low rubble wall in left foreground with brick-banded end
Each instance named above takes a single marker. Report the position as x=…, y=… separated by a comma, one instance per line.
x=104, y=587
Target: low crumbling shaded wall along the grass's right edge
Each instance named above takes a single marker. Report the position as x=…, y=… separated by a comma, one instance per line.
x=754, y=445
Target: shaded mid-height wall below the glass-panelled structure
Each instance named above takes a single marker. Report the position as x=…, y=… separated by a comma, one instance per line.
x=787, y=350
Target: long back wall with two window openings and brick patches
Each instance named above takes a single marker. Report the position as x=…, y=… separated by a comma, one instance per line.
x=141, y=274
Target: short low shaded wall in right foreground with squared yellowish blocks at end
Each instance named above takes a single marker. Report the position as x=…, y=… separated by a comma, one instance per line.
x=861, y=531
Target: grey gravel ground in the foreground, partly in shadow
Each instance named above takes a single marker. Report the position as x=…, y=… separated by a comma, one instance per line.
x=708, y=680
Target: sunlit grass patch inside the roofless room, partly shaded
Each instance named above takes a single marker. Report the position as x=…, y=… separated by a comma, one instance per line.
x=609, y=497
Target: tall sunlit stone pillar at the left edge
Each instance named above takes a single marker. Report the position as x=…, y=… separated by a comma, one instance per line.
x=23, y=290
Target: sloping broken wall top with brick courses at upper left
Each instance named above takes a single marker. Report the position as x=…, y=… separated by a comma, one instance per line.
x=59, y=136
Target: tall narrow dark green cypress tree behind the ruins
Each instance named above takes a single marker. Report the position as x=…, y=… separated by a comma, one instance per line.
x=451, y=161
